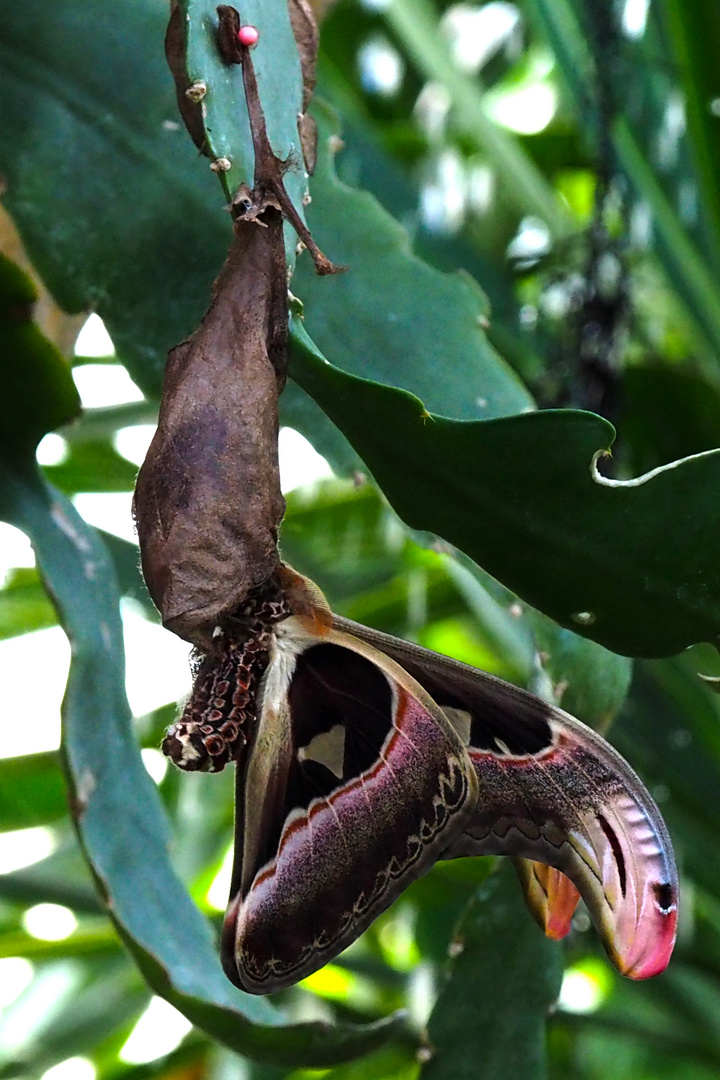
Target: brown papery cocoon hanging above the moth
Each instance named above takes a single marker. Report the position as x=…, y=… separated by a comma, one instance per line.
x=208, y=502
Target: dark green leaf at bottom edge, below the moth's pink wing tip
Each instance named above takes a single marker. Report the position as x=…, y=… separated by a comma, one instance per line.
x=490, y=1020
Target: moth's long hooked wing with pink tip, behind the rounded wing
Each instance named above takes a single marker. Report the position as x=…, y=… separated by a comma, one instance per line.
x=553, y=791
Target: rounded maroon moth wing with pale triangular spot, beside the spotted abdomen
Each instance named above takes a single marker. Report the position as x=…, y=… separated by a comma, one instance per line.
x=352, y=834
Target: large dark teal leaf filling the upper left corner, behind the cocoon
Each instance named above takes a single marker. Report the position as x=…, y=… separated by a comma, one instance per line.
x=105, y=119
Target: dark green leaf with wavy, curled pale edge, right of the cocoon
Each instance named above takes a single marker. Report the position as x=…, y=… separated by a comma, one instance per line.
x=614, y=561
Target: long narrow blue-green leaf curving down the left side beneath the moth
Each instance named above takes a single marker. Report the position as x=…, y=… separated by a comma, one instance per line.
x=117, y=809
